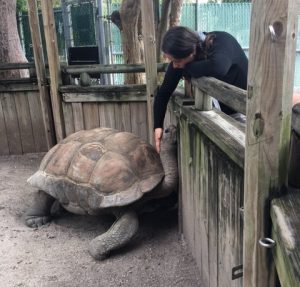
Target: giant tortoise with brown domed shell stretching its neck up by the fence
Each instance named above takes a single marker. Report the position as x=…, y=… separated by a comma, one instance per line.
x=104, y=171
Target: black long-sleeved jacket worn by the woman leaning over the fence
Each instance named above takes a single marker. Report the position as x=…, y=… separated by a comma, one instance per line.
x=226, y=61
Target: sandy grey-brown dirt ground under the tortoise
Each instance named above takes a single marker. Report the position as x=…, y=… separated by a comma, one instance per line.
x=56, y=254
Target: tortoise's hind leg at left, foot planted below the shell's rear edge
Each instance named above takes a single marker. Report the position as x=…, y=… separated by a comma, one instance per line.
x=39, y=213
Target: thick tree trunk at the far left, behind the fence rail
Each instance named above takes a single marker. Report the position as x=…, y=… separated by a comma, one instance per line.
x=10, y=45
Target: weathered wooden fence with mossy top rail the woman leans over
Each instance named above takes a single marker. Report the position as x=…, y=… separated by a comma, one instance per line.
x=211, y=153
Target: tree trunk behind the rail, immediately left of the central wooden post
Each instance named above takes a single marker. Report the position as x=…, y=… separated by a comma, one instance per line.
x=132, y=44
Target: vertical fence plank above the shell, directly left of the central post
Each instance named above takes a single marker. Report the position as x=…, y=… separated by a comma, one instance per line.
x=139, y=119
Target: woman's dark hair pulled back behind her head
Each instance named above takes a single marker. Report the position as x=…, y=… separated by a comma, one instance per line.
x=181, y=41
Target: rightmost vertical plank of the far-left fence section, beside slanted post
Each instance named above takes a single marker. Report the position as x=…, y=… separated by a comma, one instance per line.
x=37, y=123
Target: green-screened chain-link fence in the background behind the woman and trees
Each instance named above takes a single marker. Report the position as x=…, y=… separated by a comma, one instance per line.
x=82, y=26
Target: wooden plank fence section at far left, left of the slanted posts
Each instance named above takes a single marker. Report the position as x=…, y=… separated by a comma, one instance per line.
x=22, y=127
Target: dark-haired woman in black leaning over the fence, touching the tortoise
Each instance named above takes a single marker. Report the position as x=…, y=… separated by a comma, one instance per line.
x=194, y=54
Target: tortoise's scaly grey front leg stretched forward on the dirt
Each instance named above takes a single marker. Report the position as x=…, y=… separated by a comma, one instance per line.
x=119, y=234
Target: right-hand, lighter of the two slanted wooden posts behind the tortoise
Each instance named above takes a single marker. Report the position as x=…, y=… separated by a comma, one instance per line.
x=54, y=67
